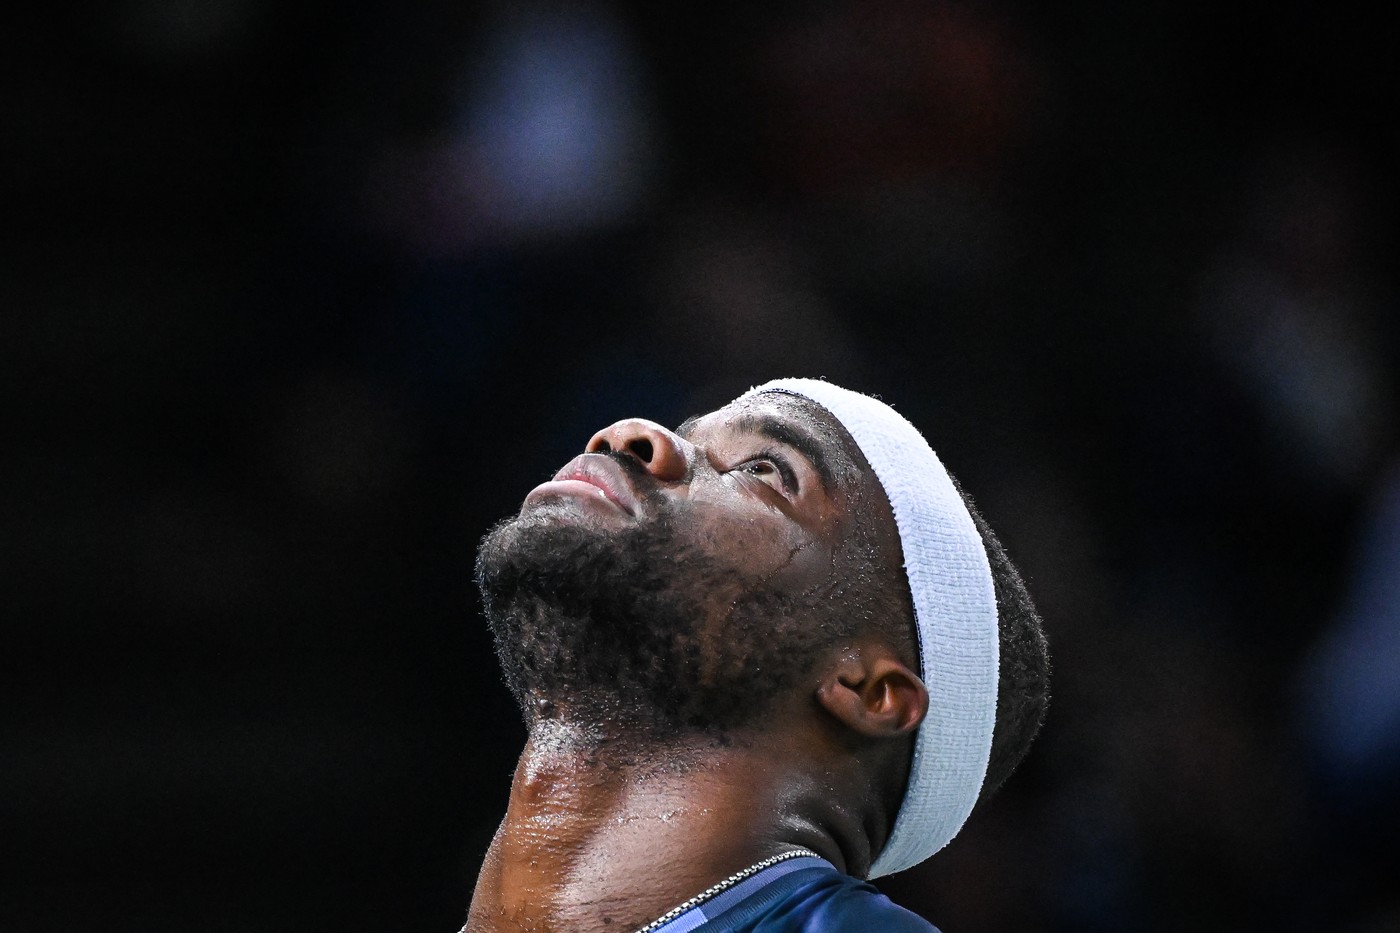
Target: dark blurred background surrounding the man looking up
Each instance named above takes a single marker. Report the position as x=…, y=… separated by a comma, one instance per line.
x=300, y=299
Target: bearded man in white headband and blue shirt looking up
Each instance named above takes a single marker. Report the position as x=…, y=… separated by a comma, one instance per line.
x=761, y=658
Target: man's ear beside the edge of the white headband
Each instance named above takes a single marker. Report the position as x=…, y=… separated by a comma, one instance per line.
x=873, y=693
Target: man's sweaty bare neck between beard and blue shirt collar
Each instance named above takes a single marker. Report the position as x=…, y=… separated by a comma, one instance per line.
x=594, y=840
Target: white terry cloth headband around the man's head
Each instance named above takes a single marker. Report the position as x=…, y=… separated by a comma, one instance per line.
x=955, y=616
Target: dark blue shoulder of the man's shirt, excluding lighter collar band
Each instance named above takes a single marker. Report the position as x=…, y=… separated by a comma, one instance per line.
x=827, y=901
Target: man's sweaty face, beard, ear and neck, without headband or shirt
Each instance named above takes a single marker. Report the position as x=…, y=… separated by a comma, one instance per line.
x=709, y=633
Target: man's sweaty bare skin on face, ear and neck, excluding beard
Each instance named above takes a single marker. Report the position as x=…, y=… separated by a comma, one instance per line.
x=601, y=836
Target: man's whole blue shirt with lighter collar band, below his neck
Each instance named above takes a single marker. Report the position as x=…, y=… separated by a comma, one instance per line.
x=799, y=896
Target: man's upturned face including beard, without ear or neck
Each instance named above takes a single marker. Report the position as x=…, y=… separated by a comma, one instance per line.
x=677, y=581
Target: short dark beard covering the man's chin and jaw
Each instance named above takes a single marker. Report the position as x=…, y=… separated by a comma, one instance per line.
x=640, y=628
